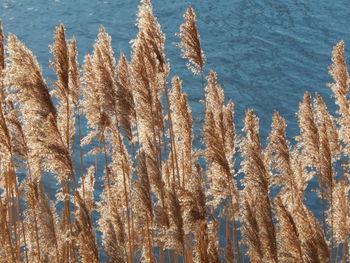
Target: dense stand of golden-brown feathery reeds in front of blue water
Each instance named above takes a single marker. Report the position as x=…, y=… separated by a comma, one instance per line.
x=160, y=202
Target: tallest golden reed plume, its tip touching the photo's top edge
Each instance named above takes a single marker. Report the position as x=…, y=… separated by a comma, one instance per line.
x=149, y=72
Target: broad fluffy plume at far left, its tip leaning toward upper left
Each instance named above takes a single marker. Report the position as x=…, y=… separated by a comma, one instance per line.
x=29, y=90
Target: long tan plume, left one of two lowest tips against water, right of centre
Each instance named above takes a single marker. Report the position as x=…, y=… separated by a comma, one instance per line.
x=256, y=183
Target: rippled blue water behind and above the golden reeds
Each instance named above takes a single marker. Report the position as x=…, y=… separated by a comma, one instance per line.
x=266, y=53
